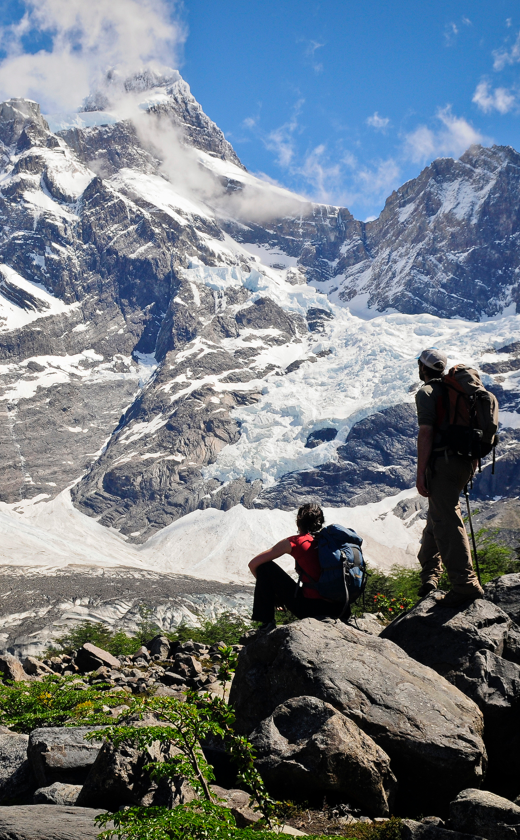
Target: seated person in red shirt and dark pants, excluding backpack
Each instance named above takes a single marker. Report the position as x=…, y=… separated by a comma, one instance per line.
x=274, y=587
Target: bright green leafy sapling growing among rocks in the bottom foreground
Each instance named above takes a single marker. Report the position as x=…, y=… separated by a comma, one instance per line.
x=185, y=725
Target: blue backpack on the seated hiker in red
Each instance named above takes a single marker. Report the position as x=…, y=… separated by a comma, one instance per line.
x=343, y=569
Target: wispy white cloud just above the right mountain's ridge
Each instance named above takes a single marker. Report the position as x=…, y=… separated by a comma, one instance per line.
x=453, y=138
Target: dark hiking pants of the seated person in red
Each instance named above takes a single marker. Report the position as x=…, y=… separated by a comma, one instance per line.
x=275, y=588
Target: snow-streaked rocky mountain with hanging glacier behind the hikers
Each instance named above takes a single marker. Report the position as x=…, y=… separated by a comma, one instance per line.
x=178, y=335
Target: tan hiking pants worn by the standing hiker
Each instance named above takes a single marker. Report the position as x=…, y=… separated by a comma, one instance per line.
x=444, y=539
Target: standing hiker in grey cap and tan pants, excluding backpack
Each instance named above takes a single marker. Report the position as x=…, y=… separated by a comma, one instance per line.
x=441, y=476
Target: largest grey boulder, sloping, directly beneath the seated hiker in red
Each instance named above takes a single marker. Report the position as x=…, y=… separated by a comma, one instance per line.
x=430, y=730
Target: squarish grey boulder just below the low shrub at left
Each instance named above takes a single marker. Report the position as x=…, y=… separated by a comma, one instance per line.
x=61, y=754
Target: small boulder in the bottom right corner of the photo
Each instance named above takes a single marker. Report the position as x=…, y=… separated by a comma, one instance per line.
x=485, y=814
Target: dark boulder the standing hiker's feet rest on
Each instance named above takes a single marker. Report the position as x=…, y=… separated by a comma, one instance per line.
x=476, y=649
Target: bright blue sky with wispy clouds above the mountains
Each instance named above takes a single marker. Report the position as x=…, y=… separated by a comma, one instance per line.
x=340, y=100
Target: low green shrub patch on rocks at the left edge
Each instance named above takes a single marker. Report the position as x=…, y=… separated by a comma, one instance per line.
x=52, y=701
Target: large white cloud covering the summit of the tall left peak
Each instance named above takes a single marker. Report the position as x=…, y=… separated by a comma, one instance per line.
x=88, y=38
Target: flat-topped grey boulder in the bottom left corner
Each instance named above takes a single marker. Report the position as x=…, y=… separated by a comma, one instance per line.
x=48, y=822
